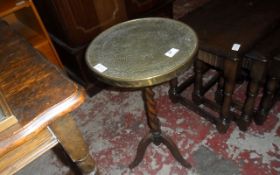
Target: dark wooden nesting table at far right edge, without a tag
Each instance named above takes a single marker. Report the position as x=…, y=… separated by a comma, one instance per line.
x=266, y=53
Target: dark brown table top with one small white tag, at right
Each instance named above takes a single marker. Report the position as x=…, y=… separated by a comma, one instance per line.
x=219, y=23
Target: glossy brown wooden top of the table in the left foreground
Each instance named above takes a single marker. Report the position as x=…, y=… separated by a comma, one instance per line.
x=36, y=91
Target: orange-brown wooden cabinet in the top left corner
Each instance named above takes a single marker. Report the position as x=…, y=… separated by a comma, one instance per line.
x=22, y=16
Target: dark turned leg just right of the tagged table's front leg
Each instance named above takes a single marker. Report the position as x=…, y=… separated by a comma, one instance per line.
x=256, y=74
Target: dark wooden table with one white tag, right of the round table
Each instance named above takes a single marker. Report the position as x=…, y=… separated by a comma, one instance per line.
x=220, y=25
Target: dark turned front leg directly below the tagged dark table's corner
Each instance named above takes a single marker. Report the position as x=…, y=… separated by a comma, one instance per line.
x=230, y=72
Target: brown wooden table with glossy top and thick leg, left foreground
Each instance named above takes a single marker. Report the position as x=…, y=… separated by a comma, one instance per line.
x=40, y=96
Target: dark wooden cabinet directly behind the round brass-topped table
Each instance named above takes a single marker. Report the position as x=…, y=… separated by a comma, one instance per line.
x=72, y=24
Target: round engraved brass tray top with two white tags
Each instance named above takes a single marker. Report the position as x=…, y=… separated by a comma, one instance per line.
x=142, y=52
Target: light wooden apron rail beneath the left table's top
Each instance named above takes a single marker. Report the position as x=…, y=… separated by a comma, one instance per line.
x=26, y=153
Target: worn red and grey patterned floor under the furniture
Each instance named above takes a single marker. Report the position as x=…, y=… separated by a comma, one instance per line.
x=113, y=122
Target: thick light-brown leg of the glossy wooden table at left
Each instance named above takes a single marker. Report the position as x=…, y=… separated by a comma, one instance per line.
x=71, y=139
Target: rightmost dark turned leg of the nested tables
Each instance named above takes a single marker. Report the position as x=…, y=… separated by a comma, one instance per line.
x=267, y=100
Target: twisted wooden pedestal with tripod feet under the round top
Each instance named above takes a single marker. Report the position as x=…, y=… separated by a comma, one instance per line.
x=155, y=135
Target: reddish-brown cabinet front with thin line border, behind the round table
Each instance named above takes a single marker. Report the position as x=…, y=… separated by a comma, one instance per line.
x=78, y=22
